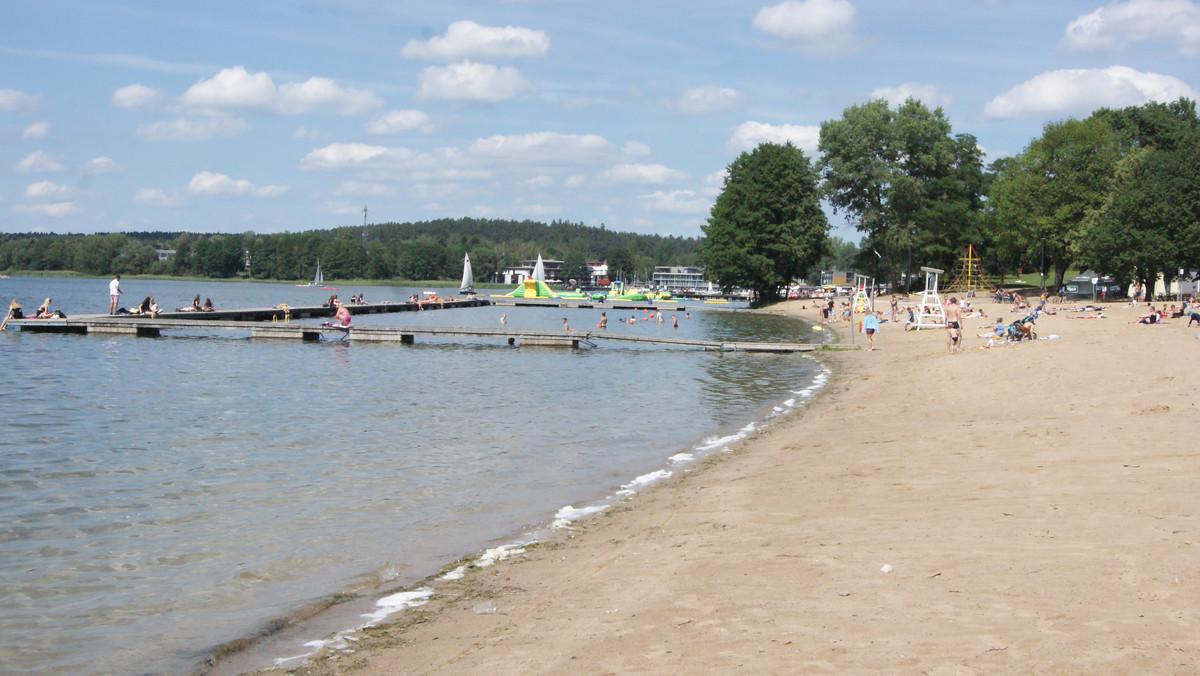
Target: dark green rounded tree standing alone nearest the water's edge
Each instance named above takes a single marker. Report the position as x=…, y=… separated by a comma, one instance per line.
x=766, y=228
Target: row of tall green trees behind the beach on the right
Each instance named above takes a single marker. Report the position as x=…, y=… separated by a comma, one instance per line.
x=1118, y=193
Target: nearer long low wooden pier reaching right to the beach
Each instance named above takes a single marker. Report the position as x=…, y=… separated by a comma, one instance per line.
x=147, y=327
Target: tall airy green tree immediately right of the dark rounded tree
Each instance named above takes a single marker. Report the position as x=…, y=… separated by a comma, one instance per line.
x=913, y=188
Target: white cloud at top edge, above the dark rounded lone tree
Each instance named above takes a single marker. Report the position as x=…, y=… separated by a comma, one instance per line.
x=815, y=26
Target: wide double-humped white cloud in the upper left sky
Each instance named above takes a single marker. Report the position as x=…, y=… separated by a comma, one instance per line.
x=236, y=89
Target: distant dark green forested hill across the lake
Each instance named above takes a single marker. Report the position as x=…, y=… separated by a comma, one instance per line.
x=430, y=250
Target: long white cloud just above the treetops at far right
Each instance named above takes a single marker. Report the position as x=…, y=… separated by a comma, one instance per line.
x=1081, y=92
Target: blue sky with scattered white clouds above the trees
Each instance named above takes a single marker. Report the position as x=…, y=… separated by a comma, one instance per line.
x=281, y=116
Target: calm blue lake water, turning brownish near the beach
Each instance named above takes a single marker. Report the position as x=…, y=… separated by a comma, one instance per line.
x=163, y=496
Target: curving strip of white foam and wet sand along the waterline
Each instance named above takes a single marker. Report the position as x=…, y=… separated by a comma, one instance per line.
x=337, y=623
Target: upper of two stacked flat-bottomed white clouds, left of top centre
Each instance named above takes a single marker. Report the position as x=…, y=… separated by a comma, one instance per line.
x=469, y=40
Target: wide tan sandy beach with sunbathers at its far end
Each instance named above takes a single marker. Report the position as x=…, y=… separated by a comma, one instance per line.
x=1024, y=510
